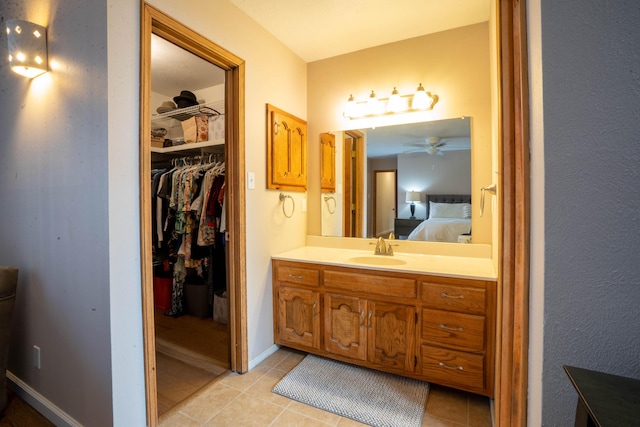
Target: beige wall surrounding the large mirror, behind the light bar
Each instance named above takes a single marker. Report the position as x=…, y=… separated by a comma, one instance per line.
x=453, y=64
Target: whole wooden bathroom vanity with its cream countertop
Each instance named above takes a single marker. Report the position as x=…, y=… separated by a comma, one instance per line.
x=390, y=313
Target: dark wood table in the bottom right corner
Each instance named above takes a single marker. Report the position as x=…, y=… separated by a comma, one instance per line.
x=605, y=400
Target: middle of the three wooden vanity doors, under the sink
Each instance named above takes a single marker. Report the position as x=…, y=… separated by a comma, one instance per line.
x=345, y=331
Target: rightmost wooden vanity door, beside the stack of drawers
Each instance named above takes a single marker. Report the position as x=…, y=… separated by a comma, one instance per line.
x=391, y=335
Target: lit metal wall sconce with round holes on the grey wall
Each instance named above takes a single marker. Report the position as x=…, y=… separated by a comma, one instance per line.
x=27, y=48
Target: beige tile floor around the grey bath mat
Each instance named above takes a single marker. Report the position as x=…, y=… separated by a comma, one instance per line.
x=247, y=400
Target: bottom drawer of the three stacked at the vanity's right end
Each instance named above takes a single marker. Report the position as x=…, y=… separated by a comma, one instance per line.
x=453, y=368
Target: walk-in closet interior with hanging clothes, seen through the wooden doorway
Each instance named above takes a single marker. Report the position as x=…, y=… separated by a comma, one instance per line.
x=188, y=221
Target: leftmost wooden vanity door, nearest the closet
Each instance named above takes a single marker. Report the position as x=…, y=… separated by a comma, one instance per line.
x=298, y=320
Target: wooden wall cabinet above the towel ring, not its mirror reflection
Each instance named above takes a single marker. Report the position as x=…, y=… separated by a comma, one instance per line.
x=286, y=151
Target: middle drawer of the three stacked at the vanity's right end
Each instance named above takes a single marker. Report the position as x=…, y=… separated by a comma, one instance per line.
x=453, y=330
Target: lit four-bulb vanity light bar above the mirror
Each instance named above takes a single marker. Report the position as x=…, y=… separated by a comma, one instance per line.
x=421, y=100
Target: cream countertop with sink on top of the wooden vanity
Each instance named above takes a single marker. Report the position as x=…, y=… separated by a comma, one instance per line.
x=451, y=266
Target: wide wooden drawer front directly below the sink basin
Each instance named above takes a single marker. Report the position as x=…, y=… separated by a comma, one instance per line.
x=379, y=285
